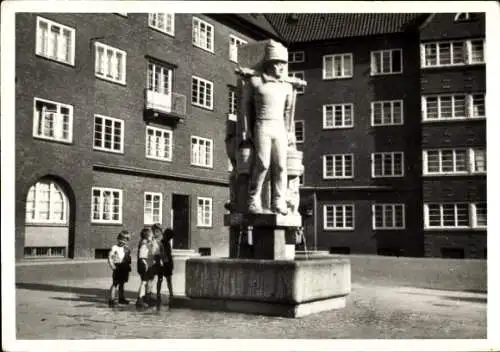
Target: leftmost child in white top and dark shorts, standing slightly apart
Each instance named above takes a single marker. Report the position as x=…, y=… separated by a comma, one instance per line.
x=119, y=260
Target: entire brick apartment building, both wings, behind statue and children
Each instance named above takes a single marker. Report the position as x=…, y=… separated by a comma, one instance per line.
x=120, y=122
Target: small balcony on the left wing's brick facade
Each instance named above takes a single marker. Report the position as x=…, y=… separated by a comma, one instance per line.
x=169, y=108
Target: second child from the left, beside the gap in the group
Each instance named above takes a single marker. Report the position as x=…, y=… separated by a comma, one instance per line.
x=144, y=265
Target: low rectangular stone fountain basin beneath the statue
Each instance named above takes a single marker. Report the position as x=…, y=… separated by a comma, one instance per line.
x=289, y=288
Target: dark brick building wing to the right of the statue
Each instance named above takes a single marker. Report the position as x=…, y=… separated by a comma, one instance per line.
x=387, y=171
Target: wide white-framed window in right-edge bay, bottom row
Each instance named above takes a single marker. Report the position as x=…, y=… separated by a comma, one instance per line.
x=455, y=215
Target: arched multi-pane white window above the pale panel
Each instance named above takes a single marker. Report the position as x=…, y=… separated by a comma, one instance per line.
x=46, y=203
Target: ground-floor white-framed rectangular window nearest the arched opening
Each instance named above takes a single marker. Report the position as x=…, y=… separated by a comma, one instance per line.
x=106, y=205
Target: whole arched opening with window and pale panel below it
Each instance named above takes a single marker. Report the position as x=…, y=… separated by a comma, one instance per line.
x=47, y=226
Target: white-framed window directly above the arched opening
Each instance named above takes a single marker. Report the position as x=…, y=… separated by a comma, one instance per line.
x=53, y=120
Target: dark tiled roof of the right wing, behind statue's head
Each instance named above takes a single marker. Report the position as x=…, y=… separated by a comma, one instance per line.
x=307, y=27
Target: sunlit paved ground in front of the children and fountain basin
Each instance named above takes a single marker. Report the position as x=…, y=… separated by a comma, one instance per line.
x=78, y=310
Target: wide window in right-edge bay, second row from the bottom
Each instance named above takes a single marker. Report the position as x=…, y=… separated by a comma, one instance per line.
x=458, y=161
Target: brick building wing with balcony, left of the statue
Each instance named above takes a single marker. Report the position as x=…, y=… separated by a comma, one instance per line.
x=120, y=123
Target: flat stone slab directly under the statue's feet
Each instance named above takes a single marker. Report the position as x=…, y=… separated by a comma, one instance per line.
x=262, y=220
